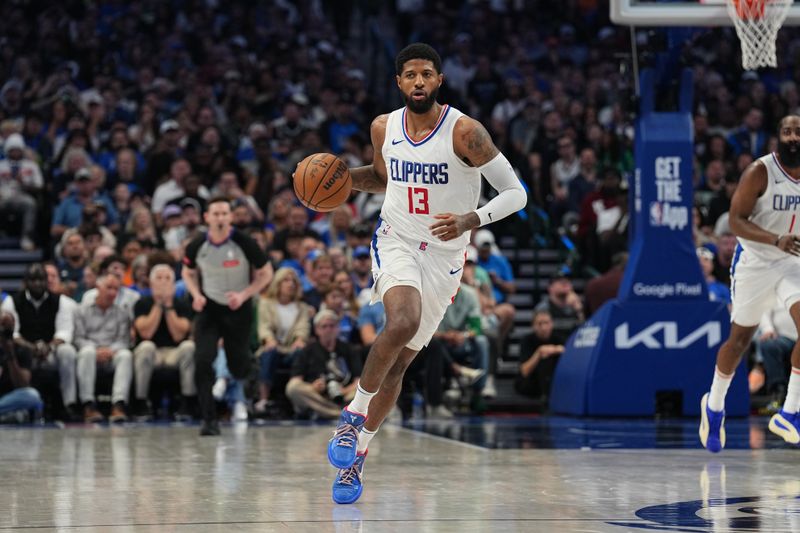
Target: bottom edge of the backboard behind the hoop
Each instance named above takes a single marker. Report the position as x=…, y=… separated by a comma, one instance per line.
x=680, y=13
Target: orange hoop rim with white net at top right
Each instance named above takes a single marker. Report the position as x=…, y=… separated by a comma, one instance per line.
x=757, y=23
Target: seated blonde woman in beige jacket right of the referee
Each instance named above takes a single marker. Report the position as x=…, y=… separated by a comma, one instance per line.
x=283, y=329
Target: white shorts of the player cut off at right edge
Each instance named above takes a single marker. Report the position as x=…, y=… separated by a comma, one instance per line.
x=755, y=286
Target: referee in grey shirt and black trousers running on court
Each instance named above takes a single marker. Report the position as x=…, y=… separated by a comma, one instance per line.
x=223, y=269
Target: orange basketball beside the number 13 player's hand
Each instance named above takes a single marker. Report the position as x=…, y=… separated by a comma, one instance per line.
x=322, y=182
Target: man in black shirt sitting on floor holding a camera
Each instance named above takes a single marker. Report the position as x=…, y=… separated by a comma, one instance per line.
x=325, y=374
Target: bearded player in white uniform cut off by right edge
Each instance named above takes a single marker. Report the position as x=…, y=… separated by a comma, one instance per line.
x=763, y=216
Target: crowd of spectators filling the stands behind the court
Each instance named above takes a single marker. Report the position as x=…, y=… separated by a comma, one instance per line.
x=119, y=120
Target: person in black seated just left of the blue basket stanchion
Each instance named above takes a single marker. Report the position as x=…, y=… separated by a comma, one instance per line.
x=539, y=354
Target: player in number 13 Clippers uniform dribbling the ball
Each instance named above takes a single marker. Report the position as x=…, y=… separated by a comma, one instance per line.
x=428, y=160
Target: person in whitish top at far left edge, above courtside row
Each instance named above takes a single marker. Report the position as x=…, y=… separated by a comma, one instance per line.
x=20, y=183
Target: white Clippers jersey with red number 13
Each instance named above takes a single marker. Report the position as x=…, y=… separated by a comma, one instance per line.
x=426, y=178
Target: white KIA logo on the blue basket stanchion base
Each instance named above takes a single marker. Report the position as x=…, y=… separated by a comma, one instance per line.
x=664, y=335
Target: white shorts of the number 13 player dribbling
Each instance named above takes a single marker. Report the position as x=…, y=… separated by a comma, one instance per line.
x=436, y=276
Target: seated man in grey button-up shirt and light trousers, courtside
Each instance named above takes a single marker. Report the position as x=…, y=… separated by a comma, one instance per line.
x=102, y=336
